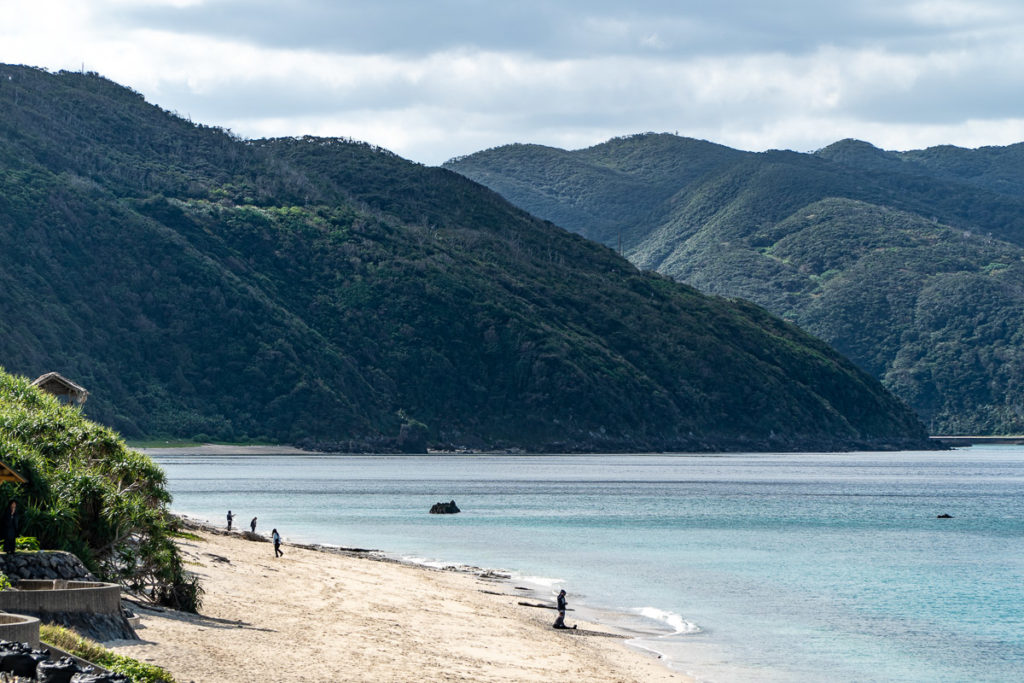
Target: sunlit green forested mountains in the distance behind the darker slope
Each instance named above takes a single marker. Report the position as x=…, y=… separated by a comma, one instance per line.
x=911, y=264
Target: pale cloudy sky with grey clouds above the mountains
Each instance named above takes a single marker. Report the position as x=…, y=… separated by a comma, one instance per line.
x=433, y=79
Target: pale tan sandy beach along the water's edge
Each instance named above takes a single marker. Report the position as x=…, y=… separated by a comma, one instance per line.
x=315, y=616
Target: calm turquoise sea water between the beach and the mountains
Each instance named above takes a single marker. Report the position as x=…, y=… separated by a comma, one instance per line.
x=735, y=568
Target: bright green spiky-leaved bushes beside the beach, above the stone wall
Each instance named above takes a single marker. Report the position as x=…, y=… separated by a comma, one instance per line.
x=87, y=493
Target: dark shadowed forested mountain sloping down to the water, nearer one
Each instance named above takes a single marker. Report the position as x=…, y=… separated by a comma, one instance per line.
x=325, y=291
